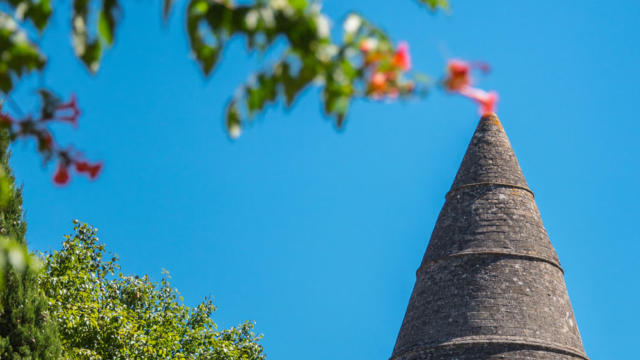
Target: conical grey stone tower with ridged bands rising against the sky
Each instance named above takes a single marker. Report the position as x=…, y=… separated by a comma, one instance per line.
x=490, y=285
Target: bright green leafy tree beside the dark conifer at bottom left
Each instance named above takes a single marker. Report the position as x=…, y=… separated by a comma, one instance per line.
x=104, y=314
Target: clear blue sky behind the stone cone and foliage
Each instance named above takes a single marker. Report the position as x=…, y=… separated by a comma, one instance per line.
x=316, y=234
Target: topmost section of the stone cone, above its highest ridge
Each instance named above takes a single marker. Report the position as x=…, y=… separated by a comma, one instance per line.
x=489, y=157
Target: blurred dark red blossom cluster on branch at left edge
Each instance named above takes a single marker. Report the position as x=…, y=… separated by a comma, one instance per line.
x=53, y=110
